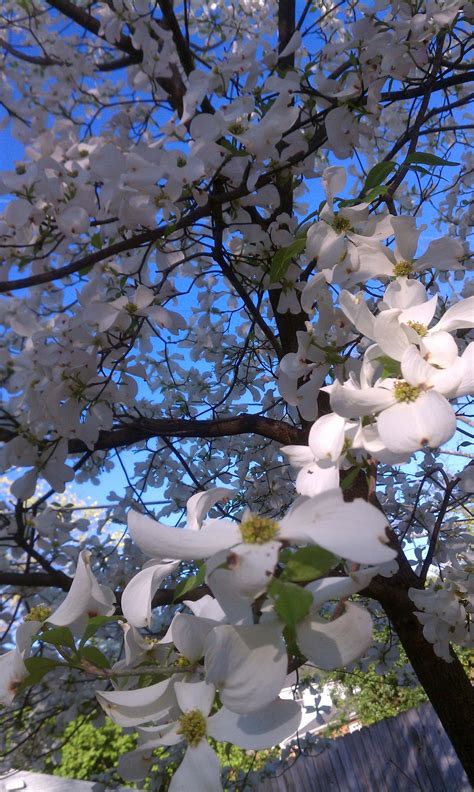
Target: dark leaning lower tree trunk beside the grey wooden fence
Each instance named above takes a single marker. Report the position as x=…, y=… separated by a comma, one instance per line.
x=446, y=684
